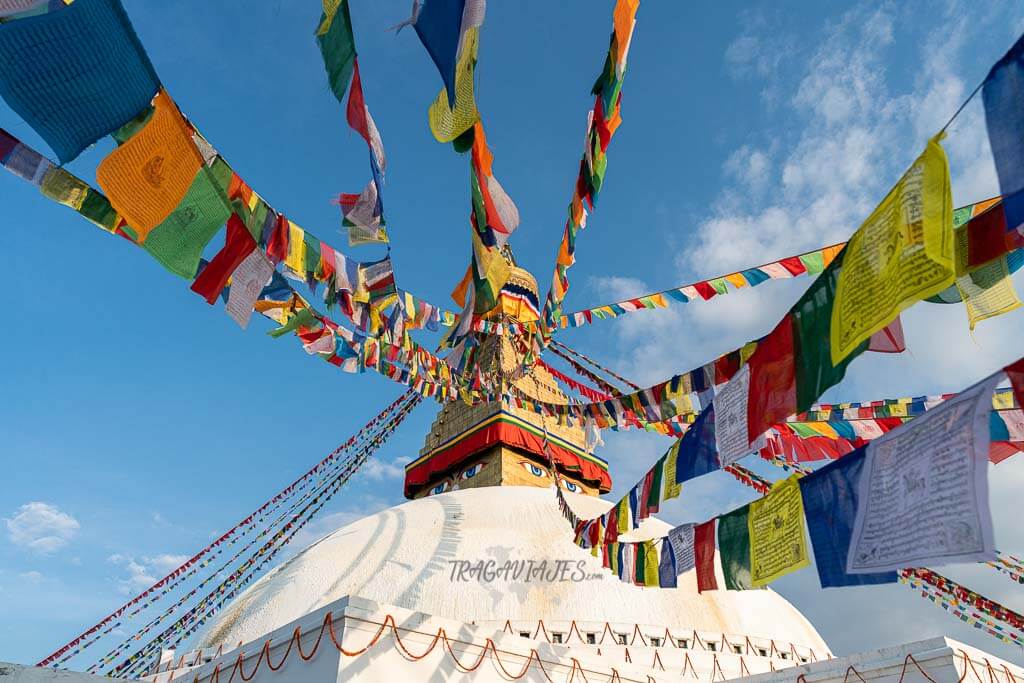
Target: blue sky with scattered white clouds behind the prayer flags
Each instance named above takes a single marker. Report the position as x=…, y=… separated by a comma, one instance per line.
x=138, y=421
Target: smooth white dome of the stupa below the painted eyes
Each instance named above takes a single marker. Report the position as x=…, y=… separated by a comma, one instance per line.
x=404, y=557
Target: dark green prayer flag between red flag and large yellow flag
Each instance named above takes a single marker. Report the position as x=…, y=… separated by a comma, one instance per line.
x=813, y=338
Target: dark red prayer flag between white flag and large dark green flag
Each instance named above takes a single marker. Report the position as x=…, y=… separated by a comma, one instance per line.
x=774, y=380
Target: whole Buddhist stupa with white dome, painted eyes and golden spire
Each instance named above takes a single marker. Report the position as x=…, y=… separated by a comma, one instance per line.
x=478, y=578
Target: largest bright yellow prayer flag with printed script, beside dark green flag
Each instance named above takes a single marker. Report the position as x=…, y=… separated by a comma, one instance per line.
x=902, y=254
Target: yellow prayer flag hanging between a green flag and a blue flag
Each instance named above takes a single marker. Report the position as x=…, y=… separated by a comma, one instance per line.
x=779, y=544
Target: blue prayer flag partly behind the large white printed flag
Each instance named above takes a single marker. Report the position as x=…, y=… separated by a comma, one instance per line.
x=830, y=499
